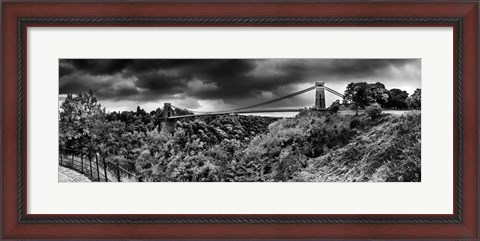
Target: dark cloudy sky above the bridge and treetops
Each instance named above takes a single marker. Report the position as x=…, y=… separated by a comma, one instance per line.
x=219, y=84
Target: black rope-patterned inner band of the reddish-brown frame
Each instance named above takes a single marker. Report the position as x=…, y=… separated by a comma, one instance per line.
x=24, y=22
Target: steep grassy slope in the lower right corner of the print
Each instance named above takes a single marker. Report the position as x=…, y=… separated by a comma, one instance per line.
x=386, y=149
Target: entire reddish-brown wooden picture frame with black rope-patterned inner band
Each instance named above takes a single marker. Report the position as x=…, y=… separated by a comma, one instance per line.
x=17, y=16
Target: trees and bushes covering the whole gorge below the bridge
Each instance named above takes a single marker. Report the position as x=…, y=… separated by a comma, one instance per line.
x=312, y=146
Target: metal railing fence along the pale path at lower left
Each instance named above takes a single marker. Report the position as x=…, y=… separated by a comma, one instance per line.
x=96, y=167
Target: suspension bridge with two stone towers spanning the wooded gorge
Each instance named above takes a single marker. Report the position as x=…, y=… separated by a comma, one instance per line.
x=168, y=117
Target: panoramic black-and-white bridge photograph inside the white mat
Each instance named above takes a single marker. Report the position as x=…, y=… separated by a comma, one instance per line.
x=239, y=120
